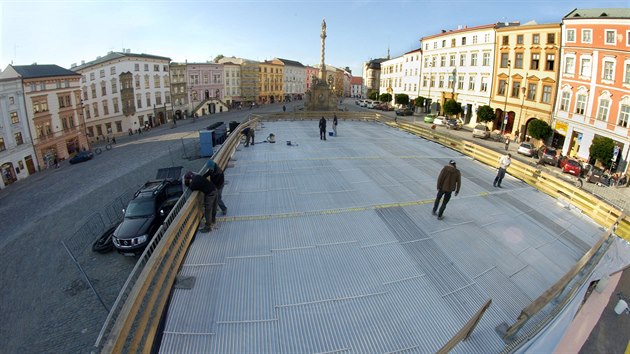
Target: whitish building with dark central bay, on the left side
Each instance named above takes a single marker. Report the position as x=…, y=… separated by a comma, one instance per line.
x=123, y=92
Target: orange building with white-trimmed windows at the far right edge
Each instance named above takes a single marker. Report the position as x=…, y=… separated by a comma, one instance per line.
x=594, y=89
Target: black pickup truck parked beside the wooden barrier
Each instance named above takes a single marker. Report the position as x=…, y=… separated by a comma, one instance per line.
x=144, y=215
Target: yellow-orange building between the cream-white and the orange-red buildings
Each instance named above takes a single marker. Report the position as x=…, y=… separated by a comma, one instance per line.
x=525, y=76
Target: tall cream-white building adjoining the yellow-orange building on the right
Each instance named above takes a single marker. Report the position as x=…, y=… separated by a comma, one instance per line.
x=458, y=64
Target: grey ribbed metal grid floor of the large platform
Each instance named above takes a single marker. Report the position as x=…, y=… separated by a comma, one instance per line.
x=331, y=246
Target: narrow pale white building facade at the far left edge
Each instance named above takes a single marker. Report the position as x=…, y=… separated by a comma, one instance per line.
x=17, y=154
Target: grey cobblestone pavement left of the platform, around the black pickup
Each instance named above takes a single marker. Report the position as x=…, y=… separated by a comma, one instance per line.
x=46, y=304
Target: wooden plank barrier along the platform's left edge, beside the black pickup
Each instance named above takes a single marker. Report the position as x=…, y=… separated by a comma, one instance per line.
x=131, y=325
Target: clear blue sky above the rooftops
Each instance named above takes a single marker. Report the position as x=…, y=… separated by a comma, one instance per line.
x=64, y=32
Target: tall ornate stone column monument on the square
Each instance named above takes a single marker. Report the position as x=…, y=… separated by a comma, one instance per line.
x=321, y=97
